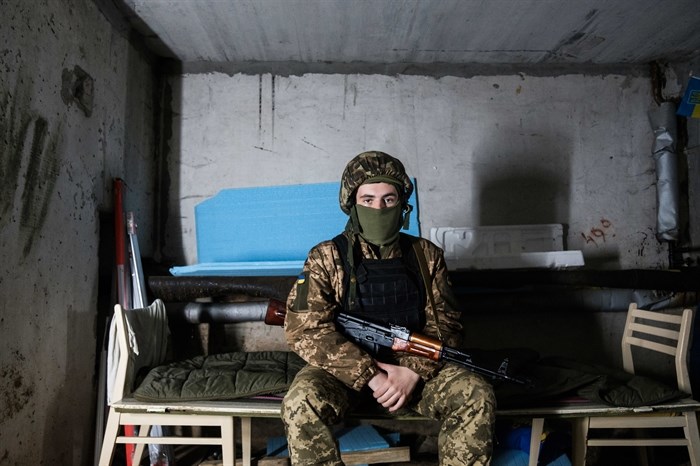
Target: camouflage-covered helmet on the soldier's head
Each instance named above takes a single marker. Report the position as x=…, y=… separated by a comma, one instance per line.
x=373, y=165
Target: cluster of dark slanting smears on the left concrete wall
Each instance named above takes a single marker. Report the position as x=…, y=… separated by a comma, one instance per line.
x=36, y=179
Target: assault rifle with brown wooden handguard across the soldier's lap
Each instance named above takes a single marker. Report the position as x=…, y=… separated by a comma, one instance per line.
x=400, y=339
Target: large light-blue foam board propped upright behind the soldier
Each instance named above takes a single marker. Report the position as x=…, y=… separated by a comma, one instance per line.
x=267, y=230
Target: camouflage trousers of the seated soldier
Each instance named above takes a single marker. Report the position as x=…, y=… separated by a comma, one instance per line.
x=462, y=401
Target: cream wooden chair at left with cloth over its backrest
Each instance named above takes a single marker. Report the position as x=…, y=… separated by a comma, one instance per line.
x=123, y=411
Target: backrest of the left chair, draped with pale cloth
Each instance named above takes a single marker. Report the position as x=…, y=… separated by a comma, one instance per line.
x=142, y=339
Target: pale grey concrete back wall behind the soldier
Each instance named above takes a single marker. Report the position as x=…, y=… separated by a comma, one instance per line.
x=573, y=149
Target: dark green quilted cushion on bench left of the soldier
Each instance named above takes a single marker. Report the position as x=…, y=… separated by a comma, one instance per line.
x=223, y=376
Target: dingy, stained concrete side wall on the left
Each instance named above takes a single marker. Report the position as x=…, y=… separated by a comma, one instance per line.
x=61, y=150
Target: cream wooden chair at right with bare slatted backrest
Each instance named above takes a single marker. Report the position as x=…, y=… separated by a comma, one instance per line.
x=649, y=331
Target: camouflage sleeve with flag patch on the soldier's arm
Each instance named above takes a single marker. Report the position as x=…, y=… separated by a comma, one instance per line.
x=309, y=327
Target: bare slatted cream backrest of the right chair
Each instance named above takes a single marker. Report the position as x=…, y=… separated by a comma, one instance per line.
x=661, y=332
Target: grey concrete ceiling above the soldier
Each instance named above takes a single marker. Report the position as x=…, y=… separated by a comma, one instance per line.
x=420, y=32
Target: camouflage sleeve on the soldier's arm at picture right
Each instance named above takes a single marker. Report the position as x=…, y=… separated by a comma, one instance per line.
x=445, y=316
